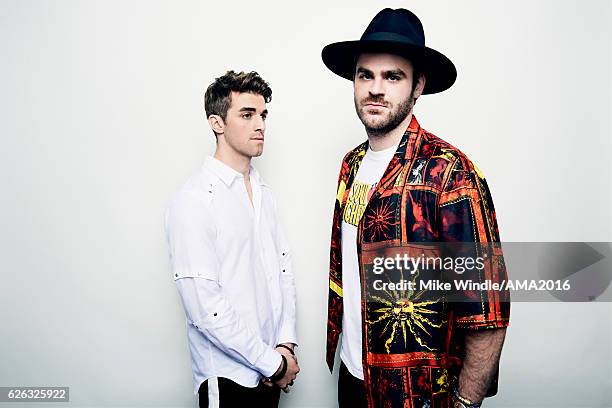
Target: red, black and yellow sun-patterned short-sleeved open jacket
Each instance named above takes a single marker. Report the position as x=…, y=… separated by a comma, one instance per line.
x=430, y=192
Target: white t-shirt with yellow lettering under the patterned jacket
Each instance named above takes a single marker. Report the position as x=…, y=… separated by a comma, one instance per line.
x=369, y=174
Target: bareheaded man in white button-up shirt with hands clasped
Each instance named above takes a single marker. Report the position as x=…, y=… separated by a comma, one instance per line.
x=230, y=261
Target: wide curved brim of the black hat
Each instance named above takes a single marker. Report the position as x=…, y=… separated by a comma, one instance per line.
x=439, y=71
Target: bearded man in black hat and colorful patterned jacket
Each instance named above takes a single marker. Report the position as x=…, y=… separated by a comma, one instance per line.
x=399, y=190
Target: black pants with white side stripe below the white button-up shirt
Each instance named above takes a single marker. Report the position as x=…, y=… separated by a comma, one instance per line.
x=232, y=395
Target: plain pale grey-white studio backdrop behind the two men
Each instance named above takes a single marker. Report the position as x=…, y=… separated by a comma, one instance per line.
x=101, y=121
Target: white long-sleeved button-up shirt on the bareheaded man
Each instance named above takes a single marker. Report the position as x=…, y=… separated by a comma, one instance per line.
x=232, y=268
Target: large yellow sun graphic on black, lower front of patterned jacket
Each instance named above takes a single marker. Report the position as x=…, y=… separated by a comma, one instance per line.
x=404, y=311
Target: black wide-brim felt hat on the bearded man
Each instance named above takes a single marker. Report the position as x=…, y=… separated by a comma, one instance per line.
x=398, y=32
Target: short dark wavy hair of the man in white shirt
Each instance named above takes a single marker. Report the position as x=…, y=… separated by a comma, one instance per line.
x=217, y=98
